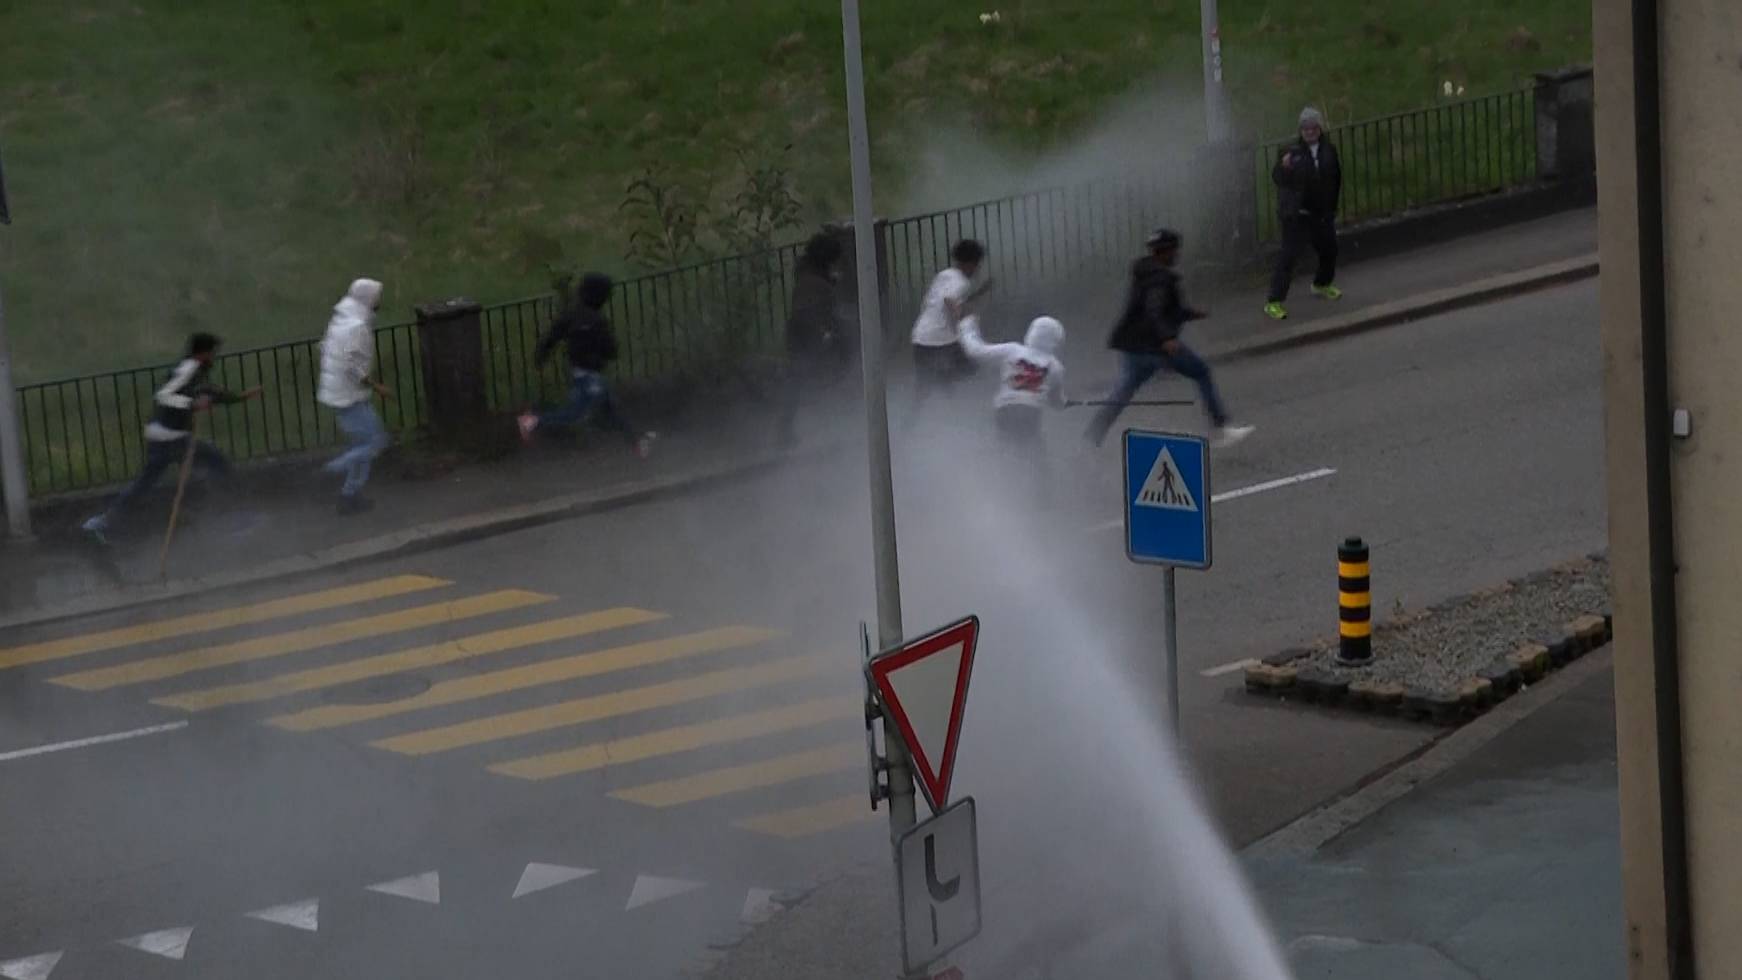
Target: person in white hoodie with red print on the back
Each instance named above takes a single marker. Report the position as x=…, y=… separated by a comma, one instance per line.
x=1030, y=380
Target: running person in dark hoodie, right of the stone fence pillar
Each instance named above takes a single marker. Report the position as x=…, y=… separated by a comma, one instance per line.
x=584, y=328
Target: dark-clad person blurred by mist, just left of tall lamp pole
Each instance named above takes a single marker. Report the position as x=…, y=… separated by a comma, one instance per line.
x=814, y=339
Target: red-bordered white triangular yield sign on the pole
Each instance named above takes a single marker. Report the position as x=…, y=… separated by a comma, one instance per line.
x=924, y=687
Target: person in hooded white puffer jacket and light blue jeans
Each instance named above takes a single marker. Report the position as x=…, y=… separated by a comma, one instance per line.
x=348, y=368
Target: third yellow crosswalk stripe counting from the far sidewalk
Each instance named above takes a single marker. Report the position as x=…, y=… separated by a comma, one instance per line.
x=417, y=659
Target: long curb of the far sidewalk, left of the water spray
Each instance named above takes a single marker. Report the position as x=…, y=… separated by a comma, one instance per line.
x=412, y=540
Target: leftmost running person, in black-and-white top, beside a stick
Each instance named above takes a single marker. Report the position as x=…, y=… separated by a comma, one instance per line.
x=170, y=438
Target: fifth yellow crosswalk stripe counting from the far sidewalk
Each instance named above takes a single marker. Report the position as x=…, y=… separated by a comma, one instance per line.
x=598, y=708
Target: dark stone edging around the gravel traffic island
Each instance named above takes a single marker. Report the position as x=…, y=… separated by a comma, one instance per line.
x=1279, y=678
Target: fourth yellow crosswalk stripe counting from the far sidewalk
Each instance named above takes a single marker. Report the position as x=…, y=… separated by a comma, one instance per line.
x=530, y=676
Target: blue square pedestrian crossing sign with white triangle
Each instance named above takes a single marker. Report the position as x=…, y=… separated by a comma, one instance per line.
x=1168, y=499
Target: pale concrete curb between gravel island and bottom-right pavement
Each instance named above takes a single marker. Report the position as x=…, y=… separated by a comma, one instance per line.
x=1307, y=835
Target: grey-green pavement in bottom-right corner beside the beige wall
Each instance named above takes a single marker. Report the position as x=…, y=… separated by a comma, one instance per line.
x=1506, y=866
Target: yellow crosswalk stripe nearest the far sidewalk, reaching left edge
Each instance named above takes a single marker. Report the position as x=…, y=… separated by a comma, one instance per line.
x=219, y=621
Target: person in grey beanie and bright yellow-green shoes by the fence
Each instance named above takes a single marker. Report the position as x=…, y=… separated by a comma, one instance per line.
x=1309, y=180
